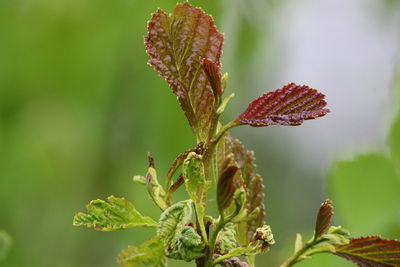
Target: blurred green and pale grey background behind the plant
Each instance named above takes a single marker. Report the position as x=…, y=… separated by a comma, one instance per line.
x=80, y=109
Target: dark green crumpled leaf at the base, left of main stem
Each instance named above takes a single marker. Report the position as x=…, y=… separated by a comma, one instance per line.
x=189, y=246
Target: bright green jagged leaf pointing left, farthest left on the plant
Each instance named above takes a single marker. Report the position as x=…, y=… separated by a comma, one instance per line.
x=113, y=214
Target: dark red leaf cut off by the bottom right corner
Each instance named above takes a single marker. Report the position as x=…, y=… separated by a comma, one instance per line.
x=371, y=251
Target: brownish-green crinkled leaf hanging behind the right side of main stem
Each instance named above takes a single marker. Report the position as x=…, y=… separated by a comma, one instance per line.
x=251, y=181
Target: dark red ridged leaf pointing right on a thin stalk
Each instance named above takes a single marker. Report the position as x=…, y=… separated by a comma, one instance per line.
x=290, y=105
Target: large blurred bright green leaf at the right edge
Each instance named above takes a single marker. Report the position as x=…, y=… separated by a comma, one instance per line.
x=366, y=193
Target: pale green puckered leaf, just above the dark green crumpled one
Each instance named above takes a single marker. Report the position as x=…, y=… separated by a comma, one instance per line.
x=172, y=221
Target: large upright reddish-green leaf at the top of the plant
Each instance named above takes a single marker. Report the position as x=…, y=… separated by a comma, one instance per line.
x=175, y=45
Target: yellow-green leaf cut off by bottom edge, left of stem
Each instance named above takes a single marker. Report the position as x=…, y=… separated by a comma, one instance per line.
x=148, y=254
